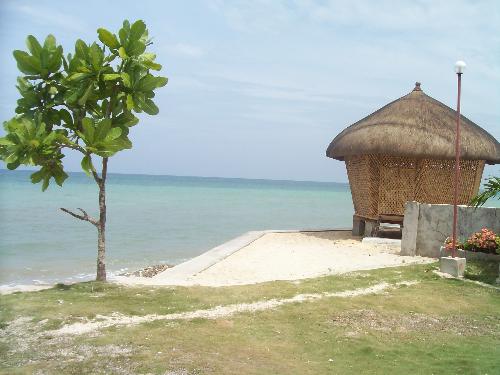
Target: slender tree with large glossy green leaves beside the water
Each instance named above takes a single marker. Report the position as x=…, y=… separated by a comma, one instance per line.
x=84, y=103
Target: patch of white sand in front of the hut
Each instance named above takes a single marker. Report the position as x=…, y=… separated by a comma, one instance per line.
x=290, y=256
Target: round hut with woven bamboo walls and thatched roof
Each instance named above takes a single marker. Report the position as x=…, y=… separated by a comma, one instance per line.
x=406, y=151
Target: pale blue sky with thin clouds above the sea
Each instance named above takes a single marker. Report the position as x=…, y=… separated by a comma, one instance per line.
x=258, y=89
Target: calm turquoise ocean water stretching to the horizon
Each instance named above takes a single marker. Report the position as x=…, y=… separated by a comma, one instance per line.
x=151, y=220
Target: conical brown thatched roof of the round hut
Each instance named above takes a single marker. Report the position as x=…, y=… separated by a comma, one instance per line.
x=417, y=126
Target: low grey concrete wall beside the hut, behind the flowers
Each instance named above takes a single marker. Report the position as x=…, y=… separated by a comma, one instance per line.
x=426, y=226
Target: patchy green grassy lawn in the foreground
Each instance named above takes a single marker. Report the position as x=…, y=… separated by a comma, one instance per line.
x=436, y=326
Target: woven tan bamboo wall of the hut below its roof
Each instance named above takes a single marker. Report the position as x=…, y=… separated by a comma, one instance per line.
x=382, y=184
